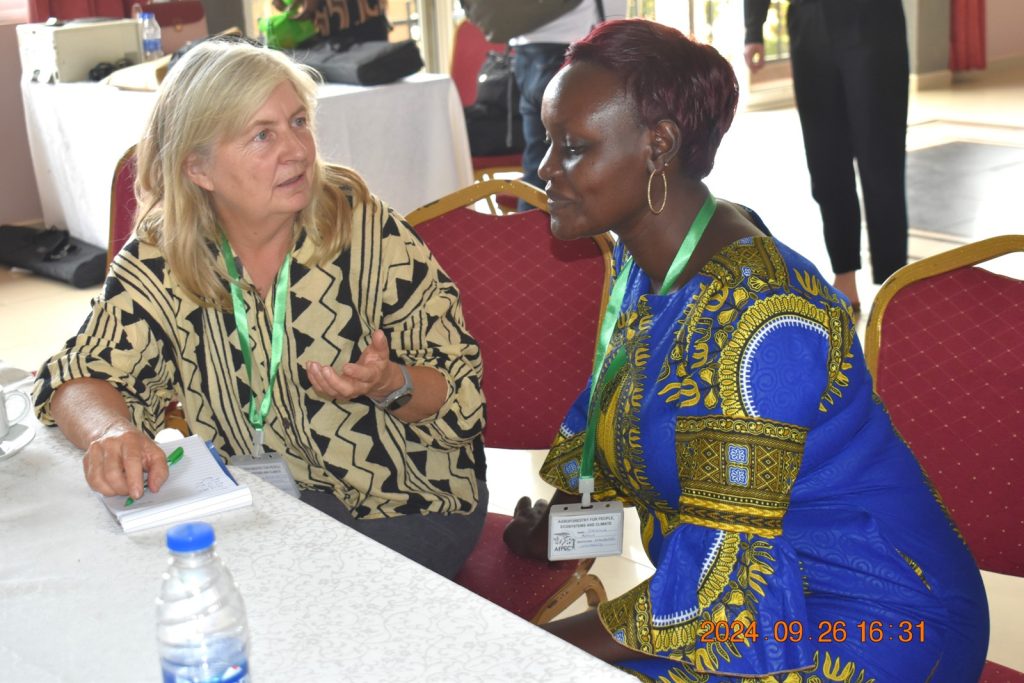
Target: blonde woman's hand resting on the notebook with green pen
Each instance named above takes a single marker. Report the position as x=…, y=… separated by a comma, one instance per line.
x=115, y=462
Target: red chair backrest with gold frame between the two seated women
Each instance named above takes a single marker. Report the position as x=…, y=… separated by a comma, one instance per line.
x=533, y=304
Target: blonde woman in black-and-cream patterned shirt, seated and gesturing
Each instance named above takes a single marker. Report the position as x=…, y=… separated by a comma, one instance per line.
x=354, y=368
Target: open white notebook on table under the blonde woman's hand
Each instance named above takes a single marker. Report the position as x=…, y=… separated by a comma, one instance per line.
x=198, y=485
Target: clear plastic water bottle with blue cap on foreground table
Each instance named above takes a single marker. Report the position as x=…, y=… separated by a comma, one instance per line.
x=201, y=620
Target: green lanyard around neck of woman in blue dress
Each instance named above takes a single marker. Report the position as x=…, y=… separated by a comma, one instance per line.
x=612, y=313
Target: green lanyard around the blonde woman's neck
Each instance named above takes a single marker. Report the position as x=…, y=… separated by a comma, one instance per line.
x=258, y=414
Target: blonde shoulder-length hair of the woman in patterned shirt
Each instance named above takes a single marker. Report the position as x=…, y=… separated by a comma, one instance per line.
x=208, y=97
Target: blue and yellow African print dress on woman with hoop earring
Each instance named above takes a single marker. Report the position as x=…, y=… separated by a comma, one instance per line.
x=794, y=536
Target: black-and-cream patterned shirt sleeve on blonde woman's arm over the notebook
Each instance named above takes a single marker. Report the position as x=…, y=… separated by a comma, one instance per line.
x=123, y=343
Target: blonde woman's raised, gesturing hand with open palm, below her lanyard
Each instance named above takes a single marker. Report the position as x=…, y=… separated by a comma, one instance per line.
x=373, y=375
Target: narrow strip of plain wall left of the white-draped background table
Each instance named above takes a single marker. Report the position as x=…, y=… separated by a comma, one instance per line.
x=19, y=197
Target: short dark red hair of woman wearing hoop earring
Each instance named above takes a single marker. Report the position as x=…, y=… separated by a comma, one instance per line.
x=668, y=76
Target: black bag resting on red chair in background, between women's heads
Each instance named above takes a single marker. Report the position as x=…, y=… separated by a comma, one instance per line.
x=493, y=121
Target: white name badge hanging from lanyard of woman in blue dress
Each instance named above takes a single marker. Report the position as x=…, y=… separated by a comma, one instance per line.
x=576, y=532
